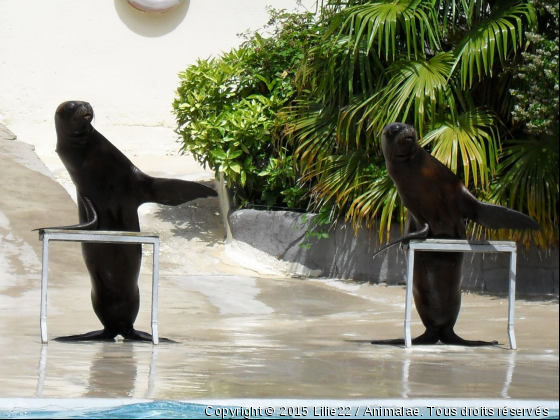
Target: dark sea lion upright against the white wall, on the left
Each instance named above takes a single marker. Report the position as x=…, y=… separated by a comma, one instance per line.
x=110, y=189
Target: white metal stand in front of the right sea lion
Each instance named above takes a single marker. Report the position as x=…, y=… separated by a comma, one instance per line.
x=455, y=245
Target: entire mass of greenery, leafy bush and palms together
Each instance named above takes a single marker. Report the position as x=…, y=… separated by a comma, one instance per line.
x=294, y=116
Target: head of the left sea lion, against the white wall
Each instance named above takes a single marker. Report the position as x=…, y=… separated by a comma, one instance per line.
x=73, y=118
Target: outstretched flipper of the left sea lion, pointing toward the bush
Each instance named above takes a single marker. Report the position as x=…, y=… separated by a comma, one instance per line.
x=172, y=192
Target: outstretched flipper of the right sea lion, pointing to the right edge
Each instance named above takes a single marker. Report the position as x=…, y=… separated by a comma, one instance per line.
x=493, y=216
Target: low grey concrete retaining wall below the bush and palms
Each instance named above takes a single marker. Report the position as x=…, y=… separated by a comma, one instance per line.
x=274, y=239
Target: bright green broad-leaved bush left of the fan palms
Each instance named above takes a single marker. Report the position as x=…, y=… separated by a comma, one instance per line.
x=227, y=108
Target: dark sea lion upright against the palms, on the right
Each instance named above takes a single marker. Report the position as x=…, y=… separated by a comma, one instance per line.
x=438, y=204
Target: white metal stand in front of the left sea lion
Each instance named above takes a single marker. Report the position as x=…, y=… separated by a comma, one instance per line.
x=47, y=235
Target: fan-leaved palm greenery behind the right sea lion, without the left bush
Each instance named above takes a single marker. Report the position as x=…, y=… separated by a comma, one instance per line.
x=445, y=66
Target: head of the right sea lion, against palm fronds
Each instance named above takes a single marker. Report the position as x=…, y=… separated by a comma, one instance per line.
x=399, y=141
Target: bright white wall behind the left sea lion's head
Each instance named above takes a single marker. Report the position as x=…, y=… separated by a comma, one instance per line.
x=124, y=62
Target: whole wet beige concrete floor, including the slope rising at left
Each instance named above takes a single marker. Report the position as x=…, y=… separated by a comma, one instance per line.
x=240, y=334
